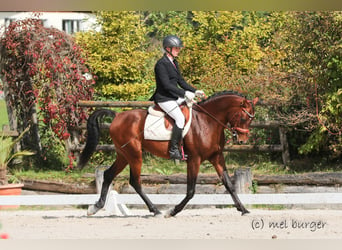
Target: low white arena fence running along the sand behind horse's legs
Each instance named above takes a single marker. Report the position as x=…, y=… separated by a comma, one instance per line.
x=116, y=203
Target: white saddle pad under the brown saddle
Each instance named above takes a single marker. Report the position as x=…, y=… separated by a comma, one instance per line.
x=155, y=127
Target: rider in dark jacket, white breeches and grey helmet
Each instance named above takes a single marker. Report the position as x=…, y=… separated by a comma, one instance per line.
x=168, y=95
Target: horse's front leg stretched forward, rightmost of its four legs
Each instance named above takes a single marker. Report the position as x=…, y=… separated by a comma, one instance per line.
x=219, y=164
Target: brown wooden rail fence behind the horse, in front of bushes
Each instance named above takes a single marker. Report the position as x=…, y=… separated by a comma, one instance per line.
x=75, y=146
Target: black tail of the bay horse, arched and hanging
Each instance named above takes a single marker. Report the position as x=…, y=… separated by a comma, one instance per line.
x=93, y=130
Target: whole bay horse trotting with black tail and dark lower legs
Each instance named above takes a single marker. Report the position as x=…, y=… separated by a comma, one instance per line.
x=205, y=140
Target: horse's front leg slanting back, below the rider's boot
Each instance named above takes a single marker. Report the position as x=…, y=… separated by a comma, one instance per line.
x=192, y=172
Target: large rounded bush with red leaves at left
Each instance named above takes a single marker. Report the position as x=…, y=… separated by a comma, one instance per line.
x=44, y=69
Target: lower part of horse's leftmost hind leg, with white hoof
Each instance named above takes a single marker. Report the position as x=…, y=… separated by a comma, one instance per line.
x=108, y=176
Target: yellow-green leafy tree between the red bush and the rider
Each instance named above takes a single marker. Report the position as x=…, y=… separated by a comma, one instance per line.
x=117, y=53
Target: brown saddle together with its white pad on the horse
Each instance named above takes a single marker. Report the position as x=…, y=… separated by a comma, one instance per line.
x=158, y=125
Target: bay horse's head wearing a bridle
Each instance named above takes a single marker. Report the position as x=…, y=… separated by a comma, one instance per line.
x=242, y=119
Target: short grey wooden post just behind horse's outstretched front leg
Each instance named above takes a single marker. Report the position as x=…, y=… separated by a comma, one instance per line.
x=243, y=180
